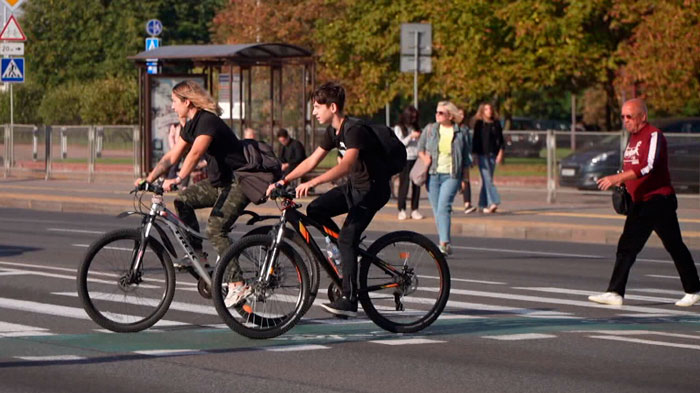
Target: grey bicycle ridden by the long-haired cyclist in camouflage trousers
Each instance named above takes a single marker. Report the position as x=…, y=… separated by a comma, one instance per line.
x=126, y=282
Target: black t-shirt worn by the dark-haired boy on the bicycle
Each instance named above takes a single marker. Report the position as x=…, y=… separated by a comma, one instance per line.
x=369, y=167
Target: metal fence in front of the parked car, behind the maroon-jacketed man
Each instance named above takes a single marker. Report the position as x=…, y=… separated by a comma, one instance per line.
x=564, y=163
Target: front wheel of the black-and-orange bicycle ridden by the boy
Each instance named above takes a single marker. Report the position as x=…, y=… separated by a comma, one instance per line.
x=274, y=306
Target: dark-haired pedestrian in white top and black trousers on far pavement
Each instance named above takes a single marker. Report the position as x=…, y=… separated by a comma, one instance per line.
x=408, y=132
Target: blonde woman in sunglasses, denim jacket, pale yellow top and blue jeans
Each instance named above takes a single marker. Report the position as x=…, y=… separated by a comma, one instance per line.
x=445, y=148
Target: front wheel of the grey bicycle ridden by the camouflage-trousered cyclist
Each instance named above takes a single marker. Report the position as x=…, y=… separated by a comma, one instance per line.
x=113, y=295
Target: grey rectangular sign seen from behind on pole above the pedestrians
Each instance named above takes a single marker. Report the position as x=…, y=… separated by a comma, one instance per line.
x=416, y=49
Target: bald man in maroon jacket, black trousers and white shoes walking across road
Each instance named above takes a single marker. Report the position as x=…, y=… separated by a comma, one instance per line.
x=645, y=174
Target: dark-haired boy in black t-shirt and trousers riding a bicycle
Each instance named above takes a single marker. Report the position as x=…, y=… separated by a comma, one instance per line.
x=366, y=191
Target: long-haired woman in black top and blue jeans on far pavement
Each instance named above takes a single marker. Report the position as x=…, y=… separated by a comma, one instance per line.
x=488, y=149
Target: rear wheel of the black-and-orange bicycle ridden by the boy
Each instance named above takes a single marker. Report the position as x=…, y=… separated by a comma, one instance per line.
x=404, y=283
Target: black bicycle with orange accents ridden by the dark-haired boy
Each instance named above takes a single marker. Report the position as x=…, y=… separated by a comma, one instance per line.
x=393, y=269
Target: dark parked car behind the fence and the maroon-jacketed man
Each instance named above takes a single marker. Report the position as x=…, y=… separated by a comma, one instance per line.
x=584, y=167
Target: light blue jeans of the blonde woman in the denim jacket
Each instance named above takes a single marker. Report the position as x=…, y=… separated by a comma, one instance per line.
x=442, y=189
